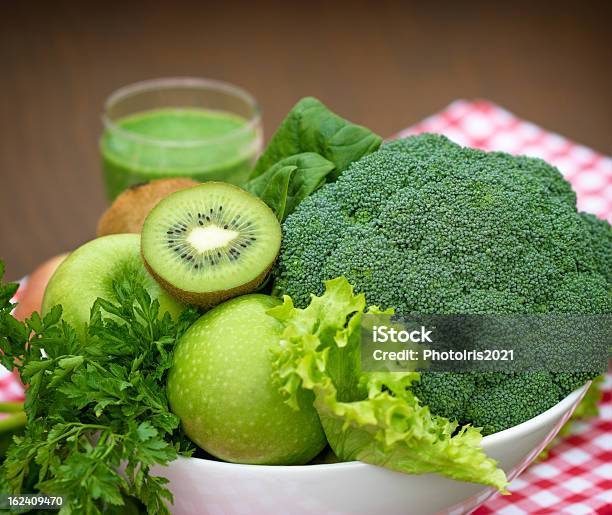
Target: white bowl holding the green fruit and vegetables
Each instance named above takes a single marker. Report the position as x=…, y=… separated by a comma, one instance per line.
x=205, y=487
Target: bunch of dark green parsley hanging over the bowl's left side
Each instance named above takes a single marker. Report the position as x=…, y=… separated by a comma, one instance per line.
x=98, y=417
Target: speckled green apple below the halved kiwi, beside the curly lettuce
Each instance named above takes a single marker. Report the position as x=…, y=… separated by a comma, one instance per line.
x=220, y=387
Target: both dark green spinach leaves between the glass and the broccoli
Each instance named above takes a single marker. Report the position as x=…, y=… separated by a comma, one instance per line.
x=289, y=170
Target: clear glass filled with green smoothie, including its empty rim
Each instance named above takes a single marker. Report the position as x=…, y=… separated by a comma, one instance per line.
x=179, y=127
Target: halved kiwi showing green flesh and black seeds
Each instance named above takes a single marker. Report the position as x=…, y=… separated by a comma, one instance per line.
x=211, y=242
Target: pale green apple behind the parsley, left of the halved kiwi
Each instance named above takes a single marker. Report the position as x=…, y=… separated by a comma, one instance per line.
x=89, y=272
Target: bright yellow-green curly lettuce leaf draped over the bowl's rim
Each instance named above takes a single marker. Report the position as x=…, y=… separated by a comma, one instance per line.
x=371, y=417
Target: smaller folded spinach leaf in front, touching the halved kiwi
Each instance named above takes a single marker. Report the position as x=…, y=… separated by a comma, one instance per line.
x=292, y=179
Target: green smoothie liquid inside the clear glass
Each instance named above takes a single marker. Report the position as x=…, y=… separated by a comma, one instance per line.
x=197, y=143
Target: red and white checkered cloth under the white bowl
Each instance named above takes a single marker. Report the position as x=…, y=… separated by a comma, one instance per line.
x=577, y=476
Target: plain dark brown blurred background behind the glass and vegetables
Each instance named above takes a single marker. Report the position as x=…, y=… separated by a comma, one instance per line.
x=385, y=65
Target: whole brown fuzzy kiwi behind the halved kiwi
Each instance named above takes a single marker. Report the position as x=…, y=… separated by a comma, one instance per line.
x=128, y=211
